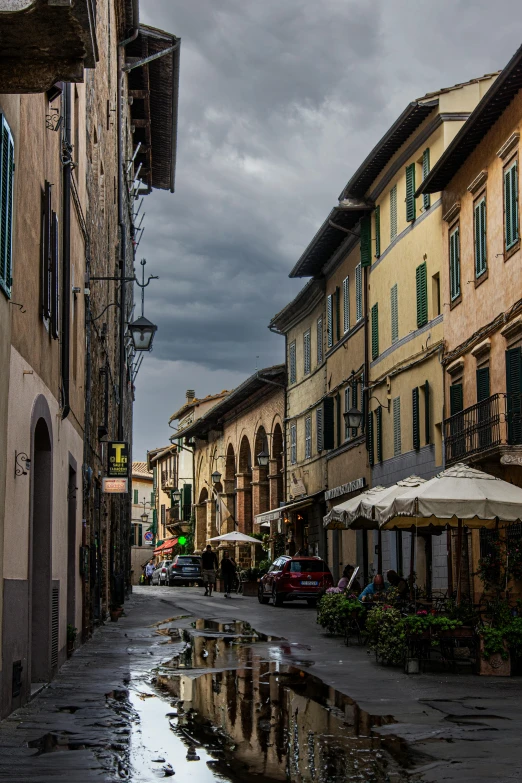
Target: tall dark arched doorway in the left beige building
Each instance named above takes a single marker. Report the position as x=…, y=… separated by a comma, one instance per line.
x=44, y=650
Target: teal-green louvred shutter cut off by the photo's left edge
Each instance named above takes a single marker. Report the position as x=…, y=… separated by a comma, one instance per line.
x=6, y=206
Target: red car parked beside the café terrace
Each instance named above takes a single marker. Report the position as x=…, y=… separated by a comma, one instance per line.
x=295, y=579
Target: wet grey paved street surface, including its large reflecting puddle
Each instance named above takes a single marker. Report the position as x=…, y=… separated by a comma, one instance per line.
x=118, y=708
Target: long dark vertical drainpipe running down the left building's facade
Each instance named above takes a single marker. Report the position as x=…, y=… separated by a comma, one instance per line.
x=66, y=253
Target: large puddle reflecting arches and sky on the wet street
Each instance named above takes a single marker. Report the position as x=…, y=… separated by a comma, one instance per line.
x=233, y=705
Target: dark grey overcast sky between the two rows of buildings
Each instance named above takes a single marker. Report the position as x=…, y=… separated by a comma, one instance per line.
x=279, y=102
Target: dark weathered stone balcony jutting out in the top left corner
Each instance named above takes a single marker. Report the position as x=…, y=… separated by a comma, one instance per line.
x=46, y=41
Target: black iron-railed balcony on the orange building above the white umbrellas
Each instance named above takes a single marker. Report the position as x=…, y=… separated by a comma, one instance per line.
x=490, y=428
